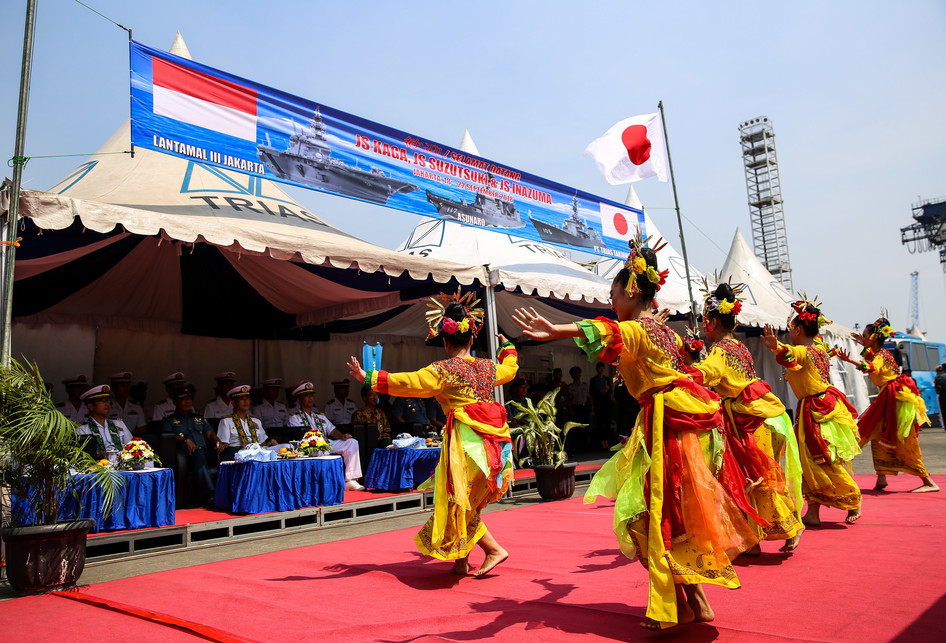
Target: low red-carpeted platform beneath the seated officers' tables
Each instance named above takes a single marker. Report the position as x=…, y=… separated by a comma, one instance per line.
x=205, y=528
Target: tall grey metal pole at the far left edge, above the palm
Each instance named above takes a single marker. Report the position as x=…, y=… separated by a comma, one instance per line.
x=8, y=248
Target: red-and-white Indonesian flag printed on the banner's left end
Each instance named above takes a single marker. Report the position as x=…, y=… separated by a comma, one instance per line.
x=206, y=101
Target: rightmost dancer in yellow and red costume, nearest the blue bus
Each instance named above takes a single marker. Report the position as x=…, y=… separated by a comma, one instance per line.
x=892, y=422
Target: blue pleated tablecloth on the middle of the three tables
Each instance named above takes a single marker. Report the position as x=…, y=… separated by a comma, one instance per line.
x=262, y=487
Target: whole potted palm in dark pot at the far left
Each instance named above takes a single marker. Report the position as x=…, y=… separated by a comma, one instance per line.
x=39, y=457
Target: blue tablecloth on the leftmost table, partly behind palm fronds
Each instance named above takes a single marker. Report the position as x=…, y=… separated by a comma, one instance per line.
x=145, y=499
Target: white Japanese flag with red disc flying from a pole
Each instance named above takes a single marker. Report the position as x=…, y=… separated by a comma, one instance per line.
x=631, y=150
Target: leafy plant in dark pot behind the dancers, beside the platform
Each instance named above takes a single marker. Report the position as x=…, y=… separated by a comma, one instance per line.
x=545, y=443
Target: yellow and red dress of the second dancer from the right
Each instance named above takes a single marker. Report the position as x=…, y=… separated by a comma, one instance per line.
x=824, y=426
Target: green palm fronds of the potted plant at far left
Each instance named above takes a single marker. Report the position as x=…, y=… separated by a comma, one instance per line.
x=39, y=452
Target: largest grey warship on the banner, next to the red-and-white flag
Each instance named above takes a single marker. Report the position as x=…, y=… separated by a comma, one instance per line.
x=308, y=160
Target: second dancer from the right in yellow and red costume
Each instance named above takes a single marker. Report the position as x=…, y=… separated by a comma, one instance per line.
x=824, y=419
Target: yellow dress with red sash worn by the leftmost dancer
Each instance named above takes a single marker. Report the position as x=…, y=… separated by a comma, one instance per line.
x=475, y=465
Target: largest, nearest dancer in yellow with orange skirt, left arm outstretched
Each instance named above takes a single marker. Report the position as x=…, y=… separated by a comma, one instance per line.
x=671, y=512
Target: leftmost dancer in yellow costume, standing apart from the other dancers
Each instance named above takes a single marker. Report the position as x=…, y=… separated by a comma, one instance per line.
x=475, y=465
